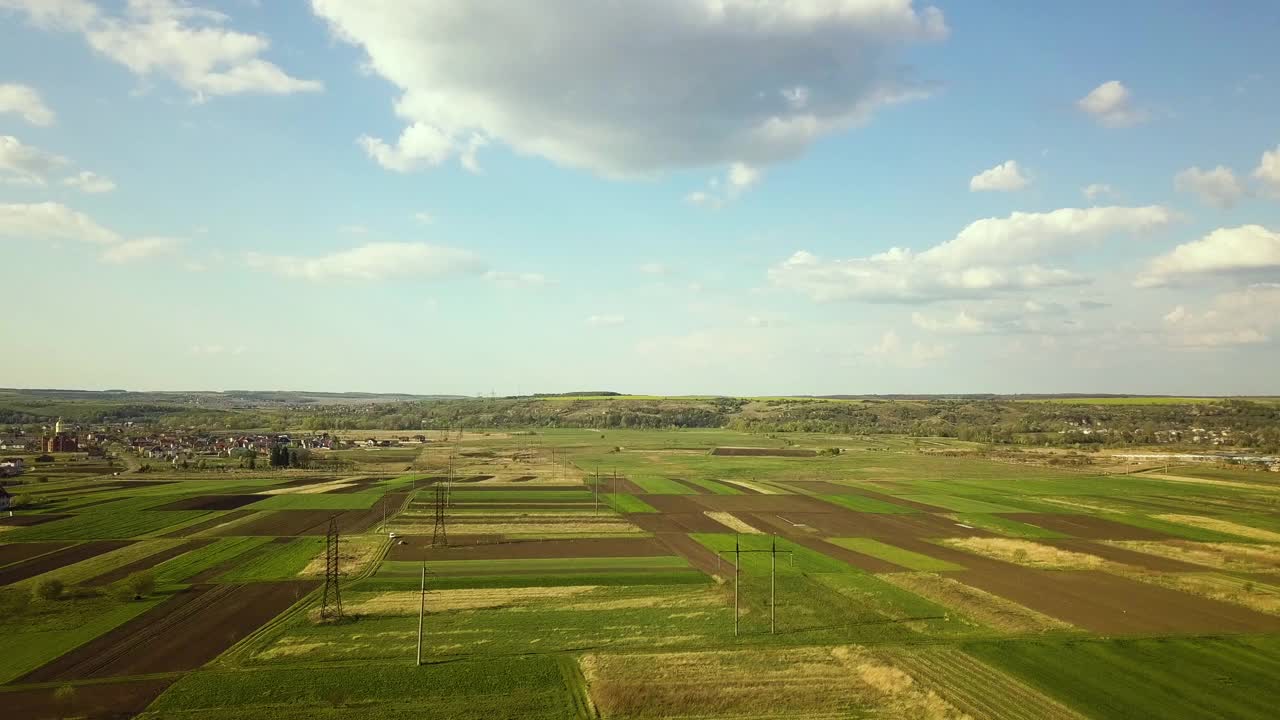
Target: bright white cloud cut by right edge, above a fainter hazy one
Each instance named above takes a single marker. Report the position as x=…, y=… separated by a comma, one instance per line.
x=1227, y=252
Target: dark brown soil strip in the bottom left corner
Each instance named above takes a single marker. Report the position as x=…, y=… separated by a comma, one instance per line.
x=107, y=701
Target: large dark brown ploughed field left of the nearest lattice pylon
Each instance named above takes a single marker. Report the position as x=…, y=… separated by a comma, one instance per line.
x=182, y=634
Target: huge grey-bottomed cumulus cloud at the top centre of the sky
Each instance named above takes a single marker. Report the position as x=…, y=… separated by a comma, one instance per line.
x=632, y=89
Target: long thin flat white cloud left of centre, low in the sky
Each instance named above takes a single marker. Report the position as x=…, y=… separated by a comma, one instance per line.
x=373, y=262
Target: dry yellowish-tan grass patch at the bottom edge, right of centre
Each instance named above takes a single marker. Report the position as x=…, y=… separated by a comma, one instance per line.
x=845, y=681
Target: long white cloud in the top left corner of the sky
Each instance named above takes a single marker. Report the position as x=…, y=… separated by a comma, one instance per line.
x=190, y=45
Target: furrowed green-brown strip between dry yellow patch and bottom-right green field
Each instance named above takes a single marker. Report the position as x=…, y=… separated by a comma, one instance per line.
x=977, y=689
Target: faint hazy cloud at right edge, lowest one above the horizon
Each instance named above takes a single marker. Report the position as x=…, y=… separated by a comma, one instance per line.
x=1241, y=317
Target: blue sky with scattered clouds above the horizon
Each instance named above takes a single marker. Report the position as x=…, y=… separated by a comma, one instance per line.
x=671, y=197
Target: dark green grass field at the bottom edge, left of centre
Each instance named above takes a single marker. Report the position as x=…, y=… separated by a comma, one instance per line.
x=509, y=687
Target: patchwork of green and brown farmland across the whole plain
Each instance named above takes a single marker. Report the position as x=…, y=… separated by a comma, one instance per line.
x=650, y=575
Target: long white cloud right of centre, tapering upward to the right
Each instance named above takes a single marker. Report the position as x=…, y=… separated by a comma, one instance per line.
x=989, y=257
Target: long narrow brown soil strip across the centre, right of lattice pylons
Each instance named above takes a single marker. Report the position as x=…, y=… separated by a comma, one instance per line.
x=584, y=548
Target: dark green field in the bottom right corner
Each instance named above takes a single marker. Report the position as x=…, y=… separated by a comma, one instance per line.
x=1149, y=678
